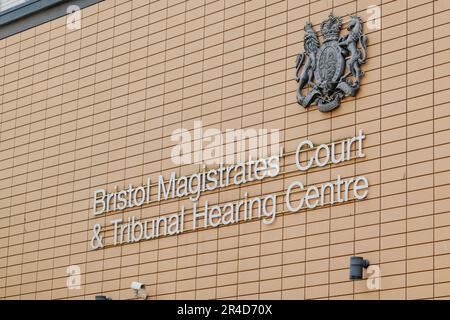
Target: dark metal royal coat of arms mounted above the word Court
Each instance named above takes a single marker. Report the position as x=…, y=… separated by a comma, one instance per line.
x=332, y=71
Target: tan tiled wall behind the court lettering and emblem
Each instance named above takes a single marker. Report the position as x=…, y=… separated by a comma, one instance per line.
x=95, y=108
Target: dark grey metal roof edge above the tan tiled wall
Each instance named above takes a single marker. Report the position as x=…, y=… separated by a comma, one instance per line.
x=21, y=18
